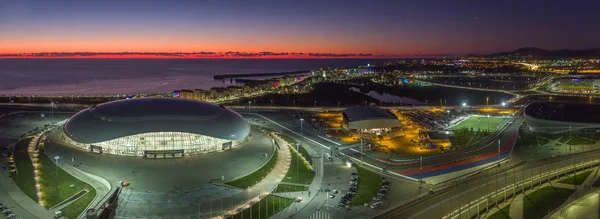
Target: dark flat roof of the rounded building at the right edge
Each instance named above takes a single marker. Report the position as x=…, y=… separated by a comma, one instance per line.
x=568, y=112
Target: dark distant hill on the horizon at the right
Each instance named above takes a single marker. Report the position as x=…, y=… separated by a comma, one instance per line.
x=537, y=53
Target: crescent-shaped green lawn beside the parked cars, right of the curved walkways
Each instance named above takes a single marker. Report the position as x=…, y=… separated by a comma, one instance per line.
x=369, y=184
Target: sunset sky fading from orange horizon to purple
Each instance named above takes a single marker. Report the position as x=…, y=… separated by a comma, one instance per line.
x=384, y=27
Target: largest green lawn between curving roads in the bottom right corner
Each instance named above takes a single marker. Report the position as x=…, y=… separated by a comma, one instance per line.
x=539, y=203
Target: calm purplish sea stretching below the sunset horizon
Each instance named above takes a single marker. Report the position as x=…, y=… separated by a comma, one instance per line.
x=63, y=76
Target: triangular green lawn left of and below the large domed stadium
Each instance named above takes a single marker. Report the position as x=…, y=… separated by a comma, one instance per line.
x=47, y=170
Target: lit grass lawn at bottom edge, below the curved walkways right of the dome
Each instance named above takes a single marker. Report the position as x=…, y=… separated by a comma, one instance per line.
x=268, y=206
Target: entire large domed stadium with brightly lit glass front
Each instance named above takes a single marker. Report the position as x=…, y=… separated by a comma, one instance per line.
x=155, y=128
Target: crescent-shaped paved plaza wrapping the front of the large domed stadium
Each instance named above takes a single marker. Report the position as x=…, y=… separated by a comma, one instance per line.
x=167, y=174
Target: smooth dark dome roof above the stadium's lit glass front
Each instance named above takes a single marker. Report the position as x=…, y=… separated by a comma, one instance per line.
x=122, y=118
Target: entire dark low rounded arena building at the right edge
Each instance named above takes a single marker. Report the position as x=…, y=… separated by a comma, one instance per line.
x=547, y=117
